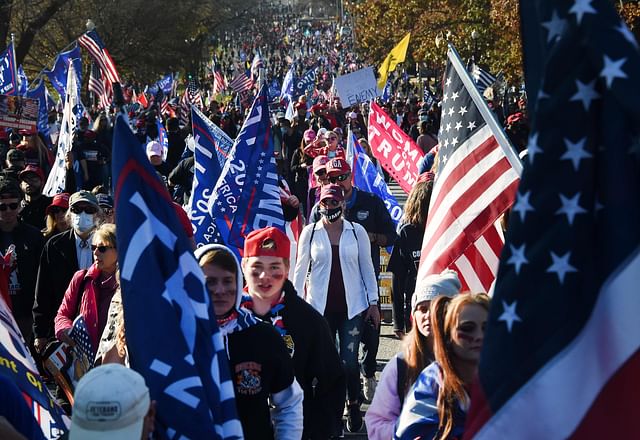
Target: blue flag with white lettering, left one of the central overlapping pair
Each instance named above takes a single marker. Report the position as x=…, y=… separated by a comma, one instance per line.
x=212, y=146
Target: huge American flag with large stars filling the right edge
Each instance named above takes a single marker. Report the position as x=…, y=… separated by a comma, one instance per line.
x=562, y=347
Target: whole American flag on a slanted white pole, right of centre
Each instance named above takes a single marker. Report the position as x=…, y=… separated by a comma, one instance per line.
x=477, y=176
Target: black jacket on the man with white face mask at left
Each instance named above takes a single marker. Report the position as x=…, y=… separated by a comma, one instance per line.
x=58, y=263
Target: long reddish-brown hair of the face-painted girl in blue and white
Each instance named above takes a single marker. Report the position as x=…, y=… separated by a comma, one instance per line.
x=444, y=313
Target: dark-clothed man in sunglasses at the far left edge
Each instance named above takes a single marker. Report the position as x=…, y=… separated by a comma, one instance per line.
x=21, y=245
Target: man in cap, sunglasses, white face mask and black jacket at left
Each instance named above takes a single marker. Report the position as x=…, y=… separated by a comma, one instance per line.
x=63, y=255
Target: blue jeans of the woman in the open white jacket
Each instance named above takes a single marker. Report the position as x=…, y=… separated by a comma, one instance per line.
x=349, y=335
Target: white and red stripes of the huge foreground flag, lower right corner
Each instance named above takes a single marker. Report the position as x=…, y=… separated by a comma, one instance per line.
x=580, y=393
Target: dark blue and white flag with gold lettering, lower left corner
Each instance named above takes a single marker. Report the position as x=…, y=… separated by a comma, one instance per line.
x=19, y=367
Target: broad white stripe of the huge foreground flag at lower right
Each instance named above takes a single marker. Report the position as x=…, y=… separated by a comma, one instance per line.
x=556, y=390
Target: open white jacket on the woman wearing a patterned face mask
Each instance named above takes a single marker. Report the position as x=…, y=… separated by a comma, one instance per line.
x=360, y=284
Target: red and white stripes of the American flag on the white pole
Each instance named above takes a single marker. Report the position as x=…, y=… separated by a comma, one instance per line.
x=473, y=188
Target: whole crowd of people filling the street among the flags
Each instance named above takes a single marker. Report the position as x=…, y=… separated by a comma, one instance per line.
x=293, y=323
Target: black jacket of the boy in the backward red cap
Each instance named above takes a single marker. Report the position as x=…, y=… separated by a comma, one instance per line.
x=317, y=366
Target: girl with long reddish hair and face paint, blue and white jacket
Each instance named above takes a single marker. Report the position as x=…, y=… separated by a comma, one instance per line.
x=436, y=406
